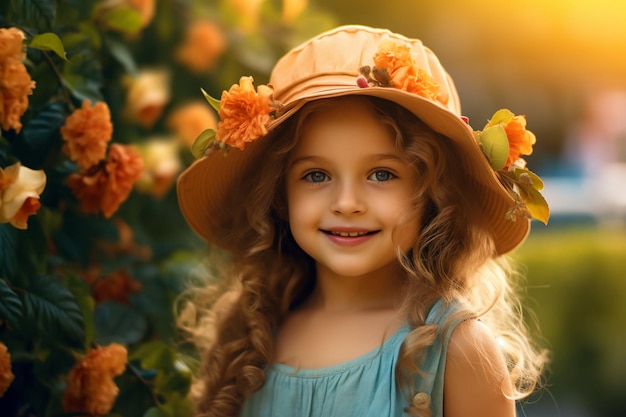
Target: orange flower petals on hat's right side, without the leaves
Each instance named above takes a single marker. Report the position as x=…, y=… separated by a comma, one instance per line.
x=521, y=141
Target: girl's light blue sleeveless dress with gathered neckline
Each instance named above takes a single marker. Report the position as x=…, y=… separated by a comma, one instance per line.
x=363, y=387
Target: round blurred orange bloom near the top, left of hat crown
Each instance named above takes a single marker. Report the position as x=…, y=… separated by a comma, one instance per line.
x=204, y=43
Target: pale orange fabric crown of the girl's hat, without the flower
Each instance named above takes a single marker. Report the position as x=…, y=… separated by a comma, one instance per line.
x=331, y=61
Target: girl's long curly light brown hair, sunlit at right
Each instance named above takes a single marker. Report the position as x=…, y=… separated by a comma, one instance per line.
x=453, y=258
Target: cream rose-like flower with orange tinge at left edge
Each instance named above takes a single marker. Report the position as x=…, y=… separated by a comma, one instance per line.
x=20, y=188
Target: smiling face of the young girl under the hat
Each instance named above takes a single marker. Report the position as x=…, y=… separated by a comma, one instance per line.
x=348, y=189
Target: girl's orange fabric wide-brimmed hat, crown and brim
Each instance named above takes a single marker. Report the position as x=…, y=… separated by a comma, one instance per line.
x=338, y=63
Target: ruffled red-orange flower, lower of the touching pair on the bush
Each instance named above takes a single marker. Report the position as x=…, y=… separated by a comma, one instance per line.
x=105, y=186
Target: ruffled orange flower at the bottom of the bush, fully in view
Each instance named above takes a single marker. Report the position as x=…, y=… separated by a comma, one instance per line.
x=90, y=387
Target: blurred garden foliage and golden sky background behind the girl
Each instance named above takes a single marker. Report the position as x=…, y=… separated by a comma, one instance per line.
x=560, y=62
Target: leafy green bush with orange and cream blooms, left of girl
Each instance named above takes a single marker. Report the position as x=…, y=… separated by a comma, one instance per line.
x=95, y=125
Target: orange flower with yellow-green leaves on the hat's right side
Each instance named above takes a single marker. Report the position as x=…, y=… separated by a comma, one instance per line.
x=503, y=140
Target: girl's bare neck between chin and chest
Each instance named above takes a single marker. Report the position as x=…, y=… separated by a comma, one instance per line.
x=381, y=289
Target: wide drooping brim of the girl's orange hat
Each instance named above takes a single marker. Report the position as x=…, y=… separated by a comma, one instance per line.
x=204, y=188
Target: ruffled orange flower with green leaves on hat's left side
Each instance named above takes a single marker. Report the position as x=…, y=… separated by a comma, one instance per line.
x=245, y=113
